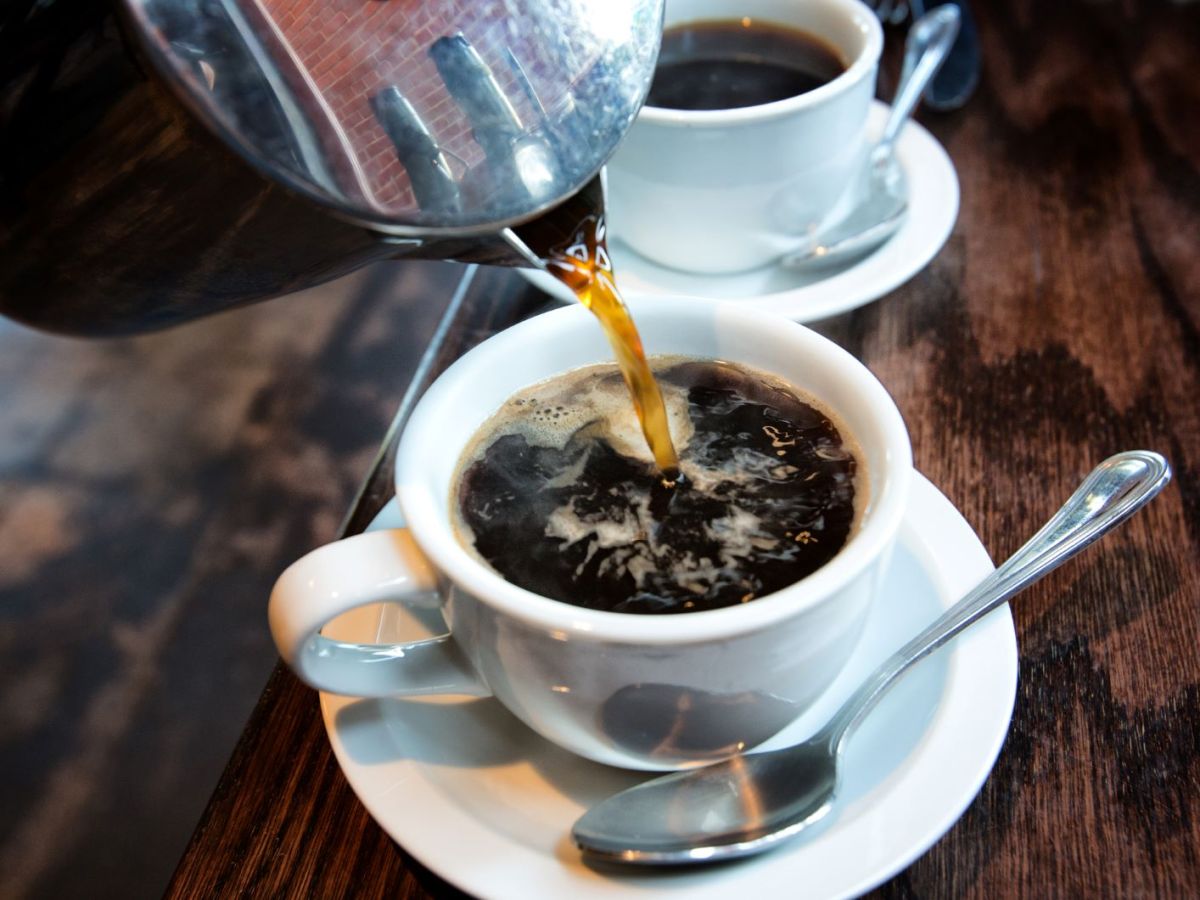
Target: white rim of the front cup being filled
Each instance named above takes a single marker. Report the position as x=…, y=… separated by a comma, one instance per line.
x=427, y=506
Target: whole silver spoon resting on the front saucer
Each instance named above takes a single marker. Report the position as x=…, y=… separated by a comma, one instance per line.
x=752, y=803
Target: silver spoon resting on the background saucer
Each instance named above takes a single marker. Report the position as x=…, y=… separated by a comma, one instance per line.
x=883, y=185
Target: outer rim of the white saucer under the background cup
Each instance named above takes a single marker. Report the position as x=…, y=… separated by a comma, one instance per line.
x=934, y=212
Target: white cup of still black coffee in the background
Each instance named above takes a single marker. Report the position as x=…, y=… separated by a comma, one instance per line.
x=729, y=190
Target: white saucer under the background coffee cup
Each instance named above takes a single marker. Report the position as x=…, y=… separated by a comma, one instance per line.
x=817, y=295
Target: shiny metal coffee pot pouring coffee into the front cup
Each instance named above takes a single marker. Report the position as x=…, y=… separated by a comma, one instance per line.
x=163, y=160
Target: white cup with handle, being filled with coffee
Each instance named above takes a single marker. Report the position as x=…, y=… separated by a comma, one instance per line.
x=599, y=682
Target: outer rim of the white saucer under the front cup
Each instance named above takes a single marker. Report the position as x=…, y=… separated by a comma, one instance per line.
x=992, y=676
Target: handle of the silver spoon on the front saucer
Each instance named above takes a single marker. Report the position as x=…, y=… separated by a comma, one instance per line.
x=1114, y=491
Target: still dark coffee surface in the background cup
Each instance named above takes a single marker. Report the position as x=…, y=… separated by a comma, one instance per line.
x=728, y=64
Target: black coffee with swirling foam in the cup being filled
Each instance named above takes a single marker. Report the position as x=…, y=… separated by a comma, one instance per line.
x=560, y=496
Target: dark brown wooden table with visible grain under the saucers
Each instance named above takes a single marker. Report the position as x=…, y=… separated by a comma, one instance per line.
x=1060, y=325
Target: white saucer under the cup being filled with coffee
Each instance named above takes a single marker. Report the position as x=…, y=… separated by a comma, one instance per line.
x=478, y=799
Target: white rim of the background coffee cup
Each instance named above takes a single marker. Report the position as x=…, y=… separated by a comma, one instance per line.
x=863, y=65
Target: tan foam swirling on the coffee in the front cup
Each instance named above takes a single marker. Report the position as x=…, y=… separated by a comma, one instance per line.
x=577, y=412
